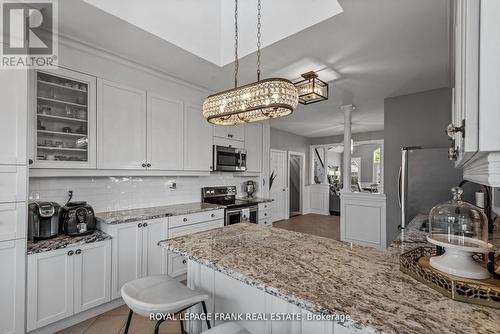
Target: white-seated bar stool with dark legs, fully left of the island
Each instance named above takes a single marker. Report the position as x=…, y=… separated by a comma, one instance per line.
x=160, y=294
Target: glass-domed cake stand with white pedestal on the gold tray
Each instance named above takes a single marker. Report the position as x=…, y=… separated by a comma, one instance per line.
x=462, y=229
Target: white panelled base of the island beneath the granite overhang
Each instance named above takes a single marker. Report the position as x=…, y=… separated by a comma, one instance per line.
x=231, y=296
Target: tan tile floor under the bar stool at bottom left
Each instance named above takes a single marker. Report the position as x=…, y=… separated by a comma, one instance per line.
x=113, y=322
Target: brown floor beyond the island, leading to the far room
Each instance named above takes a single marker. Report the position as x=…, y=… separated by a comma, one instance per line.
x=323, y=226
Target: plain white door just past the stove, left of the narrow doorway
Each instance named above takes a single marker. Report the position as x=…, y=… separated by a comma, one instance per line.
x=278, y=190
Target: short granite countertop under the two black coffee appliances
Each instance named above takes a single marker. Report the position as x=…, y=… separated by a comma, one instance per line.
x=64, y=241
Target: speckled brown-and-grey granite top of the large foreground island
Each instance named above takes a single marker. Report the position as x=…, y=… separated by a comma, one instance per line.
x=326, y=276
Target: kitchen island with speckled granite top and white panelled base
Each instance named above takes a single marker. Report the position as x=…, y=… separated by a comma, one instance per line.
x=248, y=268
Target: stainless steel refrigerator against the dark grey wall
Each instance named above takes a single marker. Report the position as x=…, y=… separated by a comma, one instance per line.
x=425, y=179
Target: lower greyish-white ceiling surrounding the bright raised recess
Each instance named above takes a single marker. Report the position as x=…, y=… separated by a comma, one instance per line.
x=374, y=49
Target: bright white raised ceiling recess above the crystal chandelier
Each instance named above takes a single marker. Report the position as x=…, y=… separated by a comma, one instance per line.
x=206, y=28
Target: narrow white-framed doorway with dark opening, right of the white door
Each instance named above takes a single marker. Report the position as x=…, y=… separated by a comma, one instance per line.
x=296, y=165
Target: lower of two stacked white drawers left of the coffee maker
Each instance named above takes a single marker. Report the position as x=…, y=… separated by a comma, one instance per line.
x=12, y=221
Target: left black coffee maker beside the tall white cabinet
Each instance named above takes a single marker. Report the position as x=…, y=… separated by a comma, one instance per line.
x=43, y=220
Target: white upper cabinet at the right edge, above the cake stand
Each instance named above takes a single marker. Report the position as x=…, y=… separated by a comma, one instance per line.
x=476, y=106
